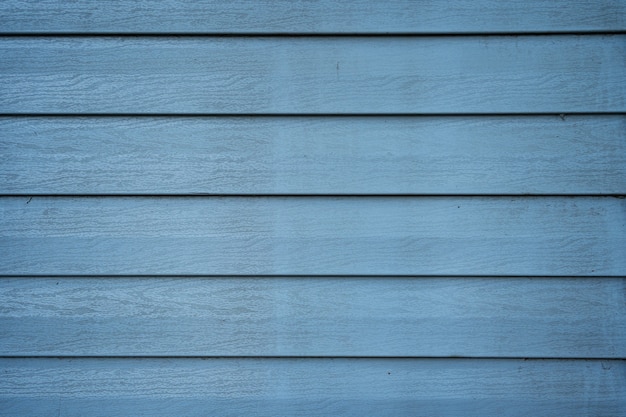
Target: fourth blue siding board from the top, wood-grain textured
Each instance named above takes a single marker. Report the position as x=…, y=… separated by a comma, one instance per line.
x=311, y=236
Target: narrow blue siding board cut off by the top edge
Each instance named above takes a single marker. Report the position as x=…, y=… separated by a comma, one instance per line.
x=311, y=17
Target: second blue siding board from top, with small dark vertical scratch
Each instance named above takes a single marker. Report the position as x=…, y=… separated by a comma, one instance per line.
x=234, y=75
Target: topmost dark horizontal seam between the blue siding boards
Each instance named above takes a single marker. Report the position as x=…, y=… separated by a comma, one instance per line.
x=210, y=34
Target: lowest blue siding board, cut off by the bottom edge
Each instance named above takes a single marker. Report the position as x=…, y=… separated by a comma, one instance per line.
x=317, y=387
